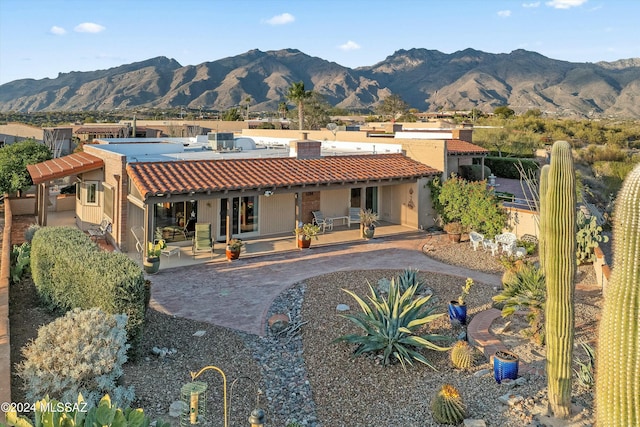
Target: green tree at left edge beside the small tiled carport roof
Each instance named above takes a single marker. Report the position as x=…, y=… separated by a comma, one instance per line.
x=14, y=159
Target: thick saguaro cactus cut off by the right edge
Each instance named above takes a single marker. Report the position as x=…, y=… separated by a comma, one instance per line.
x=618, y=355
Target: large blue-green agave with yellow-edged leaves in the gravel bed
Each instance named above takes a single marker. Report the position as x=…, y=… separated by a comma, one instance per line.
x=390, y=325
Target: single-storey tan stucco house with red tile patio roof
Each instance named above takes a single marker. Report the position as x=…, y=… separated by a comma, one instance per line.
x=241, y=193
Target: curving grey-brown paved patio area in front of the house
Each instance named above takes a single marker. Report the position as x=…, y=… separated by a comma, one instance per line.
x=238, y=294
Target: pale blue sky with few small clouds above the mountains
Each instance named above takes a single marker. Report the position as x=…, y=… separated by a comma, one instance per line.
x=40, y=38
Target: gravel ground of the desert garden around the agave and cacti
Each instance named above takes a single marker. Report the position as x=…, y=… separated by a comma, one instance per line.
x=307, y=378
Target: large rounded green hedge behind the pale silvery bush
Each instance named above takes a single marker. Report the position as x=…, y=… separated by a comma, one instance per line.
x=70, y=271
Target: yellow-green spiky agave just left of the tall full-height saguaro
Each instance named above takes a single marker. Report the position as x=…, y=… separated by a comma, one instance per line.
x=526, y=290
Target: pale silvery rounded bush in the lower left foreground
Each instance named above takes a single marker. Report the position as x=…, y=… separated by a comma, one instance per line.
x=82, y=352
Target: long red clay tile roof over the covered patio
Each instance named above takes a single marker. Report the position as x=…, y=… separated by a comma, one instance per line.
x=179, y=177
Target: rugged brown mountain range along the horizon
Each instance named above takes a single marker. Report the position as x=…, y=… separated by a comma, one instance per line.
x=427, y=80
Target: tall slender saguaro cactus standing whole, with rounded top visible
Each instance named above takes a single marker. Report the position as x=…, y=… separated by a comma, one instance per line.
x=558, y=219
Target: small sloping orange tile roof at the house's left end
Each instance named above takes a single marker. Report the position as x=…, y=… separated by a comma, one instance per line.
x=64, y=166
